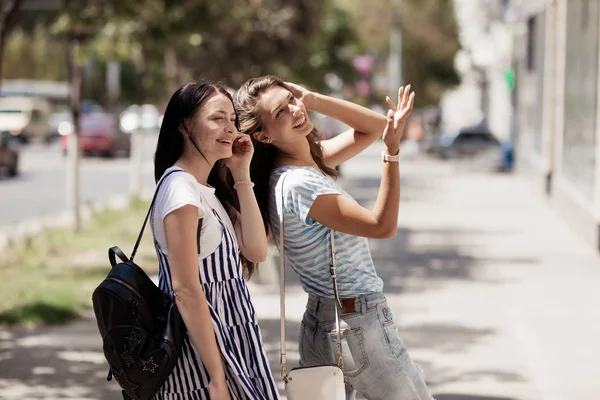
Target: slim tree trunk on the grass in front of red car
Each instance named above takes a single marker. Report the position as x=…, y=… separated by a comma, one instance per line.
x=73, y=147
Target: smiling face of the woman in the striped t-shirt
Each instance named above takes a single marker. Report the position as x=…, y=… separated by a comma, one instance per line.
x=284, y=118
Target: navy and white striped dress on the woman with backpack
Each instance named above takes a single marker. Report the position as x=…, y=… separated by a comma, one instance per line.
x=238, y=335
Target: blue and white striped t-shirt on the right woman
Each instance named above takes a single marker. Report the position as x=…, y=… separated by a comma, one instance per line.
x=307, y=242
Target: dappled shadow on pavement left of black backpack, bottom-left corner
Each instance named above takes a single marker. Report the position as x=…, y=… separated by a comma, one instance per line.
x=59, y=362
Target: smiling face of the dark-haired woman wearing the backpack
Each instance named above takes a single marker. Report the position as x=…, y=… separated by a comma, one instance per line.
x=213, y=127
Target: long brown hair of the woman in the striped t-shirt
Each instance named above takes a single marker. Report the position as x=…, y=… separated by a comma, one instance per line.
x=247, y=106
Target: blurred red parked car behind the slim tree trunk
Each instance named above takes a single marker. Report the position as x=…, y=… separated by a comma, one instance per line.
x=100, y=135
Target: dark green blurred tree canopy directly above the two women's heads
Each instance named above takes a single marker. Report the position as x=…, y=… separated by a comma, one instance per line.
x=233, y=40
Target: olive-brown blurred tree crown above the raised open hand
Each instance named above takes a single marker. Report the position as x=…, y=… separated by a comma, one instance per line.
x=429, y=40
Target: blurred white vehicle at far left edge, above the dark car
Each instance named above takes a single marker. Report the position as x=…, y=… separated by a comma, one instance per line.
x=26, y=118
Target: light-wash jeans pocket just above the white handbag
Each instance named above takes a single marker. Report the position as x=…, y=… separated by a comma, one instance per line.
x=353, y=351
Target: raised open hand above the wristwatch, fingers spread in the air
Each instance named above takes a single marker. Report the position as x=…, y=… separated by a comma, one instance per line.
x=396, y=119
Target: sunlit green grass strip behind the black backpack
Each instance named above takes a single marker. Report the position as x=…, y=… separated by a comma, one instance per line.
x=50, y=278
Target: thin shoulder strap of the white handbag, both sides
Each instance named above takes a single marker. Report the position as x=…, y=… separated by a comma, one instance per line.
x=332, y=271
